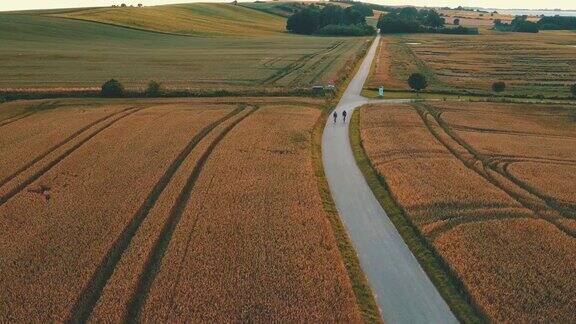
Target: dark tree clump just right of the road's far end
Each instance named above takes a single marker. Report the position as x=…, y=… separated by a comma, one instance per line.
x=412, y=20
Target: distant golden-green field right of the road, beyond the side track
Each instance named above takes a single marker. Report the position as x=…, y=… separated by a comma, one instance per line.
x=530, y=64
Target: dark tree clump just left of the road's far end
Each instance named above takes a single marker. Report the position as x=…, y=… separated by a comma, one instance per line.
x=331, y=20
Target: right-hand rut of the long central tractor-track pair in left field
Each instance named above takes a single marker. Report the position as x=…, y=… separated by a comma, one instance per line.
x=161, y=245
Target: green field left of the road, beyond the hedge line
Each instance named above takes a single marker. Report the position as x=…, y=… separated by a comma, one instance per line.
x=41, y=51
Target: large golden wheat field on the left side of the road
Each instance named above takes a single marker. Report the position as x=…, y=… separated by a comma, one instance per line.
x=166, y=210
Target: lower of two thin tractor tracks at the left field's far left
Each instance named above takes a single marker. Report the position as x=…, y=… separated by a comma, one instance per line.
x=46, y=168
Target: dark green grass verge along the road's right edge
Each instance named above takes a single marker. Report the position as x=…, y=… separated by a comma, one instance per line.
x=447, y=283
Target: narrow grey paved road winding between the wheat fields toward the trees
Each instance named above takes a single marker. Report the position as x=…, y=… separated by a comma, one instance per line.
x=404, y=292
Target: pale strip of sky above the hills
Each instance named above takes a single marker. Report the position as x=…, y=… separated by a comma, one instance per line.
x=509, y=4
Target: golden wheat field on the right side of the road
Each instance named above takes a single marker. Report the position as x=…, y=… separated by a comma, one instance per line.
x=489, y=185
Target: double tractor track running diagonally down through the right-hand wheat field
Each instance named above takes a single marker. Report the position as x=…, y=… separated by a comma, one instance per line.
x=525, y=198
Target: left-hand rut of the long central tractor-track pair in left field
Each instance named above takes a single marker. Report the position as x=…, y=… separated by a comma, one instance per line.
x=89, y=297
